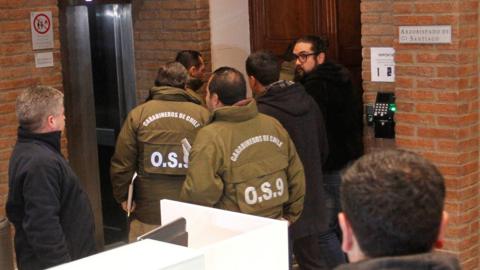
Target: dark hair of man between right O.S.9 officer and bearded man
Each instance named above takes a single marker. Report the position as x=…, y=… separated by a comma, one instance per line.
x=264, y=67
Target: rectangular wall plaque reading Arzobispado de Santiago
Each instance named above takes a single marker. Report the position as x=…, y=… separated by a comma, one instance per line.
x=431, y=34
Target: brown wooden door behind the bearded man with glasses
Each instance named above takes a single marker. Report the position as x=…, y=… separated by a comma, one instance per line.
x=275, y=23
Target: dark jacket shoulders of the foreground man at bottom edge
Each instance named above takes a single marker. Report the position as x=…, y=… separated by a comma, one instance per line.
x=425, y=261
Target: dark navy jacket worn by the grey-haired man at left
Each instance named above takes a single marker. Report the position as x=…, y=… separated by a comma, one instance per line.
x=52, y=215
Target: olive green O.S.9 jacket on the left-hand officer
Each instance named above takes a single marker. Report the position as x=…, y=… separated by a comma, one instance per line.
x=149, y=144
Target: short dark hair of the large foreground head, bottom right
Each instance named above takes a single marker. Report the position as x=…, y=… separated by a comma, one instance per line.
x=393, y=200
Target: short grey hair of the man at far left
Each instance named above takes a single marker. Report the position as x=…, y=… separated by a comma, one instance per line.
x=35, y=104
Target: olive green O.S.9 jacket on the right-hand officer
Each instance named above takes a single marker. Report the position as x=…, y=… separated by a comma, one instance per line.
x=245, y=161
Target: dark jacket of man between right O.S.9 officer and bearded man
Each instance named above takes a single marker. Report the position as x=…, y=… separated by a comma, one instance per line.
x=301, y=117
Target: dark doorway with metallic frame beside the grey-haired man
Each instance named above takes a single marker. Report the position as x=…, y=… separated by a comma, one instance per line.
x=99, y=81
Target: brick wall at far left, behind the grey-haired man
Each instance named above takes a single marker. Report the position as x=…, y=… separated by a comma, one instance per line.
x=17, y=71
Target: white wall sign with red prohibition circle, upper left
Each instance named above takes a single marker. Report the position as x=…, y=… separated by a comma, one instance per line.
x=42, y=30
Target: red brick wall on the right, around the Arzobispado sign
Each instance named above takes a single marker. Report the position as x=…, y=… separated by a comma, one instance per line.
x=437, y=101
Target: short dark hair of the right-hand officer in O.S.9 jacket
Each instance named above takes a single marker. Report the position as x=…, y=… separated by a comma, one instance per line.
x=229, y=84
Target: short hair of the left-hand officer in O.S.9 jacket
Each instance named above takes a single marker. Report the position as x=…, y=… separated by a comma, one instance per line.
x=172, y=74
